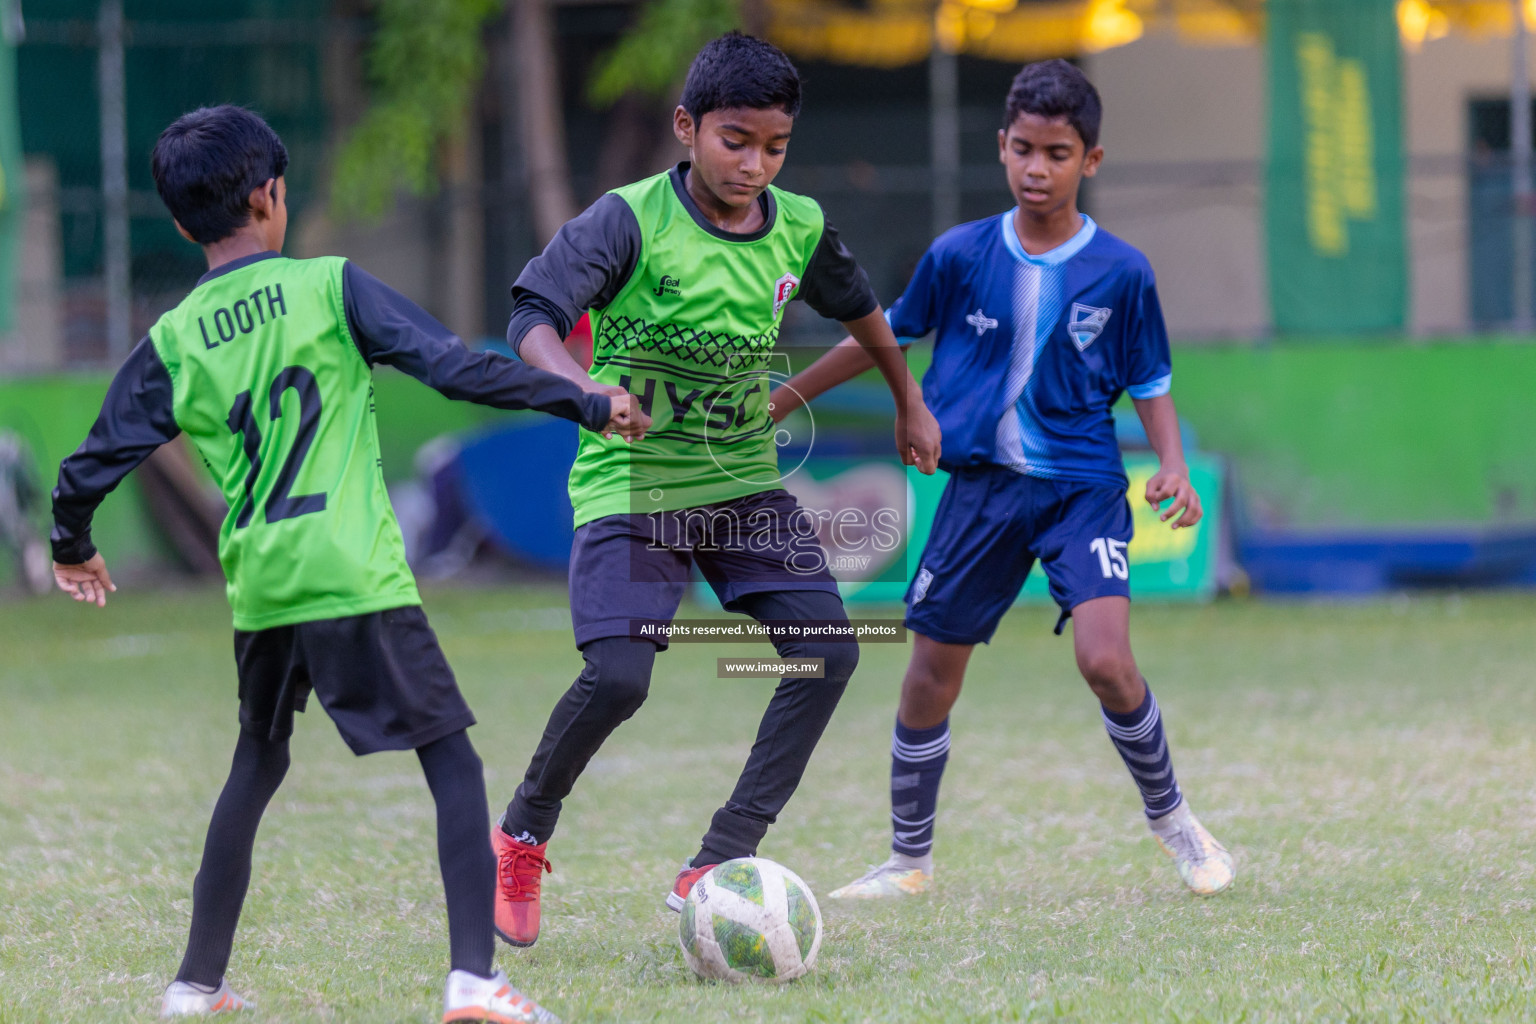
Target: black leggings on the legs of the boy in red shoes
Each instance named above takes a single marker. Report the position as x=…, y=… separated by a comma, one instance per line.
x=615, y=684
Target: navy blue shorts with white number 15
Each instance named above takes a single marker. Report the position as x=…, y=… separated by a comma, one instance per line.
x=990, y=529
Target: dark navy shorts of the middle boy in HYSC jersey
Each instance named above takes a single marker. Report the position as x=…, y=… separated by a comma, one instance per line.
x=634, y=569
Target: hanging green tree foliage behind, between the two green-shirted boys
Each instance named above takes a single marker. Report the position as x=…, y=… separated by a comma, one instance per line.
x=425, y=64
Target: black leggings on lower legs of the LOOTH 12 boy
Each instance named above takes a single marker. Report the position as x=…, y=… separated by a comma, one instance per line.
x=469, y=868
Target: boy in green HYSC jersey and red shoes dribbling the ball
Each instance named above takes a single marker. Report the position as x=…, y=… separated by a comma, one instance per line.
x=687, y=276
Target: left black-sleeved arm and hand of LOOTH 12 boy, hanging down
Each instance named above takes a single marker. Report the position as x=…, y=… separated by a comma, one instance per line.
x=137, y=417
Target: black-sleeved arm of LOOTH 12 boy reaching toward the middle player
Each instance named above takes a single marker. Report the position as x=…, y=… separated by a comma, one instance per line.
x=391, y=329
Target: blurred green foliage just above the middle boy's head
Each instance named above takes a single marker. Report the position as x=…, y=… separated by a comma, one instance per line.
x=657, y=53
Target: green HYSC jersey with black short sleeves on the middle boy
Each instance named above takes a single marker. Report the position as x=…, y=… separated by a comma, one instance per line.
x=690, y=332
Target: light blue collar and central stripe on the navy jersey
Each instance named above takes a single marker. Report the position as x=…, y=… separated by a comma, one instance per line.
x=1038, y=308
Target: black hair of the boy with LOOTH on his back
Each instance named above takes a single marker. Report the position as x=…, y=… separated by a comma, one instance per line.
x=208, y=164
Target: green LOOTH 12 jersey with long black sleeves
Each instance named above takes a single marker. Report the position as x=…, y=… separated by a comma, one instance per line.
x=266, y=368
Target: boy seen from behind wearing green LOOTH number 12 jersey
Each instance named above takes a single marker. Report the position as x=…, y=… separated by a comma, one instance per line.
x=266, y=368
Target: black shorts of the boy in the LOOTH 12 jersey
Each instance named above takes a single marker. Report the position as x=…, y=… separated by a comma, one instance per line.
x=382, y=678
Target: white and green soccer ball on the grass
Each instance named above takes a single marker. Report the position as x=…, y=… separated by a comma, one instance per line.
x=750, y=920
